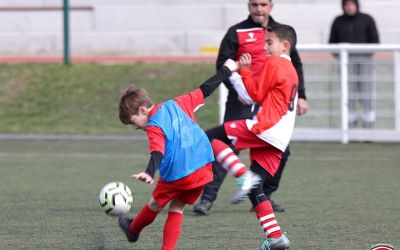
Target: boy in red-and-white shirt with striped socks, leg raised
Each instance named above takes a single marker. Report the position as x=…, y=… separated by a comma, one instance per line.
x=268, y=134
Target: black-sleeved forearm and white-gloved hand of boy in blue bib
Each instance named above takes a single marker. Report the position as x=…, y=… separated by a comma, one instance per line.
x=212, y=83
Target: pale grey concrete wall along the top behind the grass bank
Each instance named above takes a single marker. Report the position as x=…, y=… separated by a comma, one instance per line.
x=164, y=26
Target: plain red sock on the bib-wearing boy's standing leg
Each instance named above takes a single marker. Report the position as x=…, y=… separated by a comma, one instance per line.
x=172, y=230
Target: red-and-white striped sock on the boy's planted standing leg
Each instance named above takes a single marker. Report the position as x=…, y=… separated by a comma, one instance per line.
x=267, y=219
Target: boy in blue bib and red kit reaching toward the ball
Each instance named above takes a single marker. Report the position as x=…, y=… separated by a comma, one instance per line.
x=179, y=149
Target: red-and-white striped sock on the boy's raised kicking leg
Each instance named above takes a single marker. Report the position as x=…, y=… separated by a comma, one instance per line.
x=227, y=158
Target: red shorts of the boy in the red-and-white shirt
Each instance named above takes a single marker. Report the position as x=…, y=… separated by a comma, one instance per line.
x=261, y=151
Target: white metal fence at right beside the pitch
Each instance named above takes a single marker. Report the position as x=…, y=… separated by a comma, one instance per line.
x=353, y=92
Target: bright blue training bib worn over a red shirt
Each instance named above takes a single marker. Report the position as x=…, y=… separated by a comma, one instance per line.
x=187, y=146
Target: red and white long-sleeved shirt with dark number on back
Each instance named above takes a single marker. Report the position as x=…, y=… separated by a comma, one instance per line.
x=275, y=89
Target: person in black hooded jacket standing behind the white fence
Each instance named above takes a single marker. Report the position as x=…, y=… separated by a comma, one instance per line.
x=356, y=27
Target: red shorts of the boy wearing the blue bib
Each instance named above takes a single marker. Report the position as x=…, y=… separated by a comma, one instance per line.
x=187, y=189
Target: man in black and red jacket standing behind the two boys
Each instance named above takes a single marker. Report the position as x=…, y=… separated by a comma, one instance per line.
x=248, y=36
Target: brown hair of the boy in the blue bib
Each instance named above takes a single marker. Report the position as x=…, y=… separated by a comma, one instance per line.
x=130, y=102
